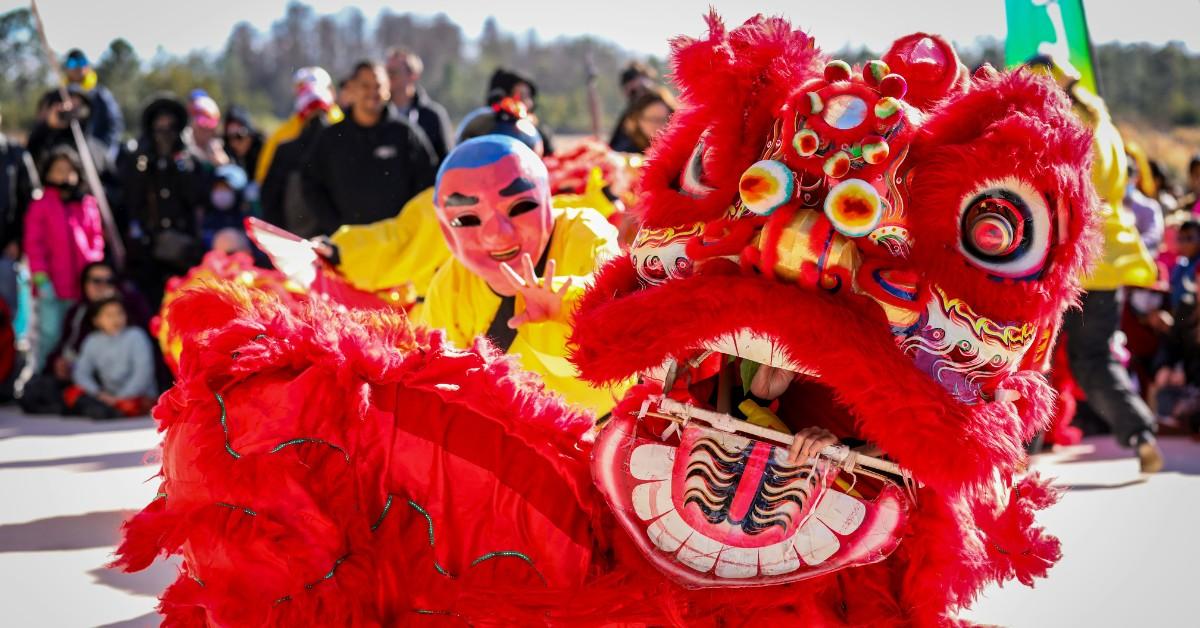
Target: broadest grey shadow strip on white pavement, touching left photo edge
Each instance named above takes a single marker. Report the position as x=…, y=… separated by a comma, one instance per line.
x=74, y=533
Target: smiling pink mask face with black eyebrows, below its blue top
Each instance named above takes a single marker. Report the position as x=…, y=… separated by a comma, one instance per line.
x=495, y=214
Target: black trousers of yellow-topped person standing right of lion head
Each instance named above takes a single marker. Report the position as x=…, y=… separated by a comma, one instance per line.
x=1097, y=373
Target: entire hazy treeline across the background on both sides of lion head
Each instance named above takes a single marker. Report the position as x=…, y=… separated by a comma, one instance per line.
x=1156, y=86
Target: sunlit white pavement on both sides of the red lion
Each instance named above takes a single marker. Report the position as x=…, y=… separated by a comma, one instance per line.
x=1131, y=545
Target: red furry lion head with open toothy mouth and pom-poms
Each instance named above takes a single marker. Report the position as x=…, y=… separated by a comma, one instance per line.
x=909, y=261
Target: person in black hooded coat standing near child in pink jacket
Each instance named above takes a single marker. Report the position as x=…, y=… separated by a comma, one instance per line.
x=166, y=192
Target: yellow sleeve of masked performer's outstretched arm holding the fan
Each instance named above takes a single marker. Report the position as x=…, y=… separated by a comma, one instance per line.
x=409, y=248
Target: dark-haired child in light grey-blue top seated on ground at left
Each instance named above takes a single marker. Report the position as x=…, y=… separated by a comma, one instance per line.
x=116, y=373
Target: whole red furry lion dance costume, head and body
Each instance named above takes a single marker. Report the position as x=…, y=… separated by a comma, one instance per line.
x=901, y=241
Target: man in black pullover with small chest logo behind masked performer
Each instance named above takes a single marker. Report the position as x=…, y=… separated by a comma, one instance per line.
x=368, y=166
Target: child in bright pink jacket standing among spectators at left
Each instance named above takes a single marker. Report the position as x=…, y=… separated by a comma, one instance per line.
x=63, y=235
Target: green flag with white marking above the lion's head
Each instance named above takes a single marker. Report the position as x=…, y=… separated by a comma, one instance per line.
x=1051, y=28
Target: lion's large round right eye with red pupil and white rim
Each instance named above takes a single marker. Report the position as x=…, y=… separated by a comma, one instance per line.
x=1005, y=230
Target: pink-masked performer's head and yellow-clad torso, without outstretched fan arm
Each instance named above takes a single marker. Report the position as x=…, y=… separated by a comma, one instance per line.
x=520, y=265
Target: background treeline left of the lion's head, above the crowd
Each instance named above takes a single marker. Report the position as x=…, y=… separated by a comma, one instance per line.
x=255, y=69
